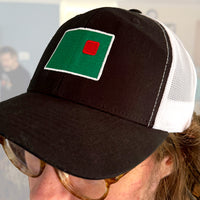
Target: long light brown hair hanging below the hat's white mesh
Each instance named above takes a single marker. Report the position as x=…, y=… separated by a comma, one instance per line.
x=184, y=149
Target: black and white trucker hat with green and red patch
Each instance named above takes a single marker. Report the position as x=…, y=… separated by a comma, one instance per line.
x=109, y=88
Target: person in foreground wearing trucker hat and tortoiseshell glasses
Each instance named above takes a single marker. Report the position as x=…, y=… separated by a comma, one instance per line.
x=108, y=113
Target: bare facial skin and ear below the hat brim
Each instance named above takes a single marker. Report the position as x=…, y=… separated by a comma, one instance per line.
x=139, y=184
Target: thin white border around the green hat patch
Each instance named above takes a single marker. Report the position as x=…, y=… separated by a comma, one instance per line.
x=103, y=63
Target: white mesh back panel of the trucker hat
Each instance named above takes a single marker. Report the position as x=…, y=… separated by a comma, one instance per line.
x=177, y=104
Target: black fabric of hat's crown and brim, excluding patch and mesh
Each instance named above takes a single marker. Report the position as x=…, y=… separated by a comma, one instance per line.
x=96, y=129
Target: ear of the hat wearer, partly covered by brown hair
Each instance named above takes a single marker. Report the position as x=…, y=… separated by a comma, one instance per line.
x=166, y=167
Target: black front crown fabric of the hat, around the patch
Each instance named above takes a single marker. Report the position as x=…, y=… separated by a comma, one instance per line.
x=133, y=71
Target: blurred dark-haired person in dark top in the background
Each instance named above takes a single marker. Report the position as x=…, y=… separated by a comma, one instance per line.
x=14, y=78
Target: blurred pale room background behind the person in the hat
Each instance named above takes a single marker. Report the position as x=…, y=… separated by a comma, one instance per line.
x=27, y=26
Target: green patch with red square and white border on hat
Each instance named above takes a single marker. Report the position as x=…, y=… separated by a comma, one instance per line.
x=81, y=52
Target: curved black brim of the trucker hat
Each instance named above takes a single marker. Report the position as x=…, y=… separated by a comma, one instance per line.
x=77, y=139
